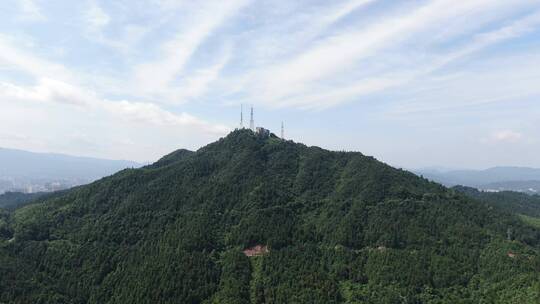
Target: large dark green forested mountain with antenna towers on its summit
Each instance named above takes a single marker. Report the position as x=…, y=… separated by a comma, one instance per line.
x=337, y=227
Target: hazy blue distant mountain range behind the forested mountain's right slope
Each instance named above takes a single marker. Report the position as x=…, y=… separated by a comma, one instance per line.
x=520, y=179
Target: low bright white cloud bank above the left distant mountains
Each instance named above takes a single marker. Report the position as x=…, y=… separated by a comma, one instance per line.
x=55, y=114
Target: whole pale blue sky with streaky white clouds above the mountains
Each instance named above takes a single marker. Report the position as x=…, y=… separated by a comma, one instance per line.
x=413, y=83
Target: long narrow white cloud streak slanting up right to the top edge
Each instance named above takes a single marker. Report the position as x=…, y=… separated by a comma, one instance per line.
x=343, y=50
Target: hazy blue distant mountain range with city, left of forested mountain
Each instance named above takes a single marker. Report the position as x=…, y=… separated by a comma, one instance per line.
x=36, y=172
